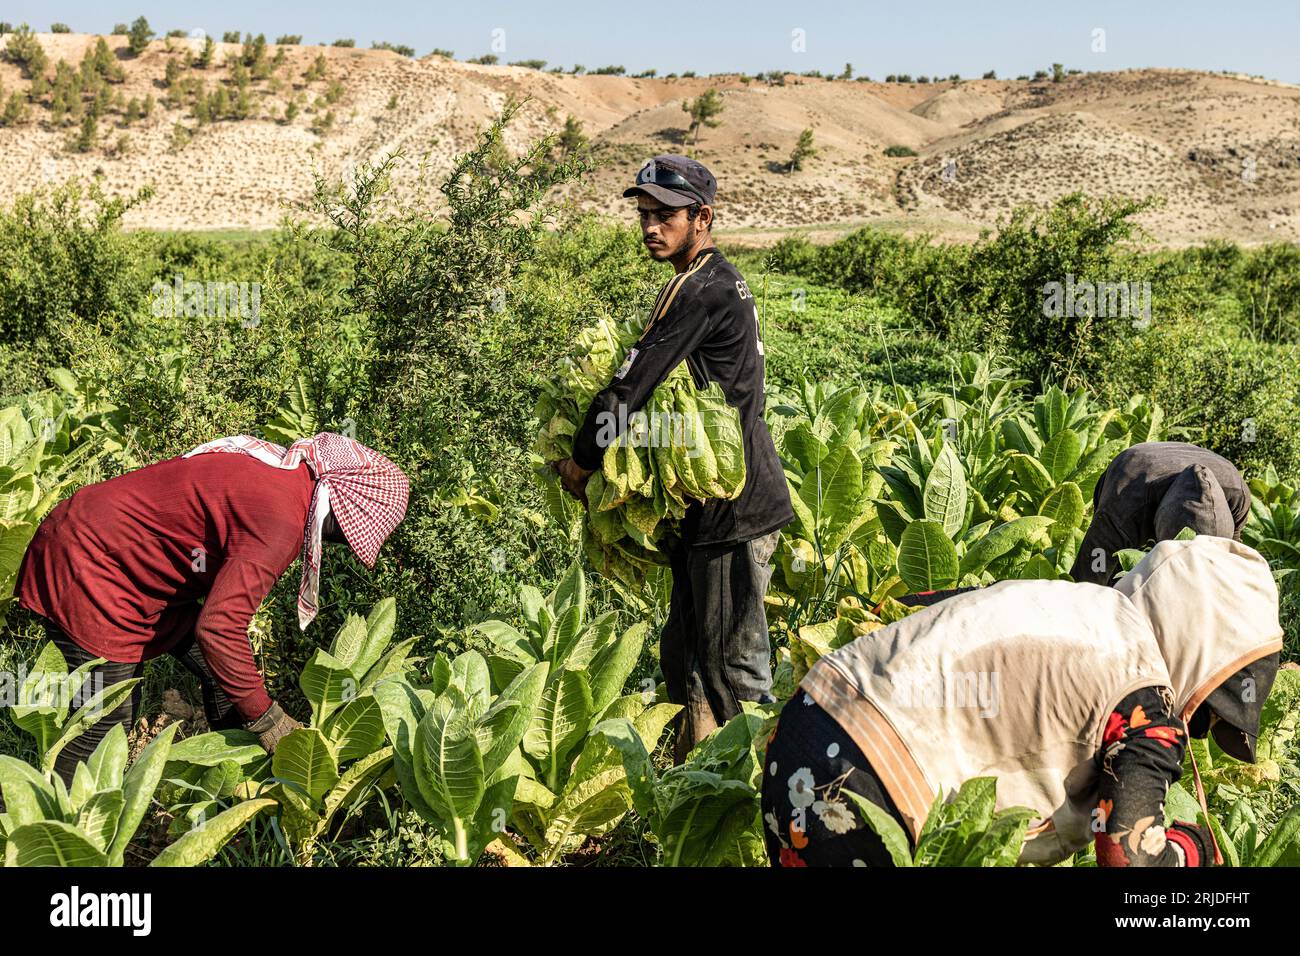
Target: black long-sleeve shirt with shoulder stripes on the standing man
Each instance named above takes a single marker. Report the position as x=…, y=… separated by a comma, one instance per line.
x=705, y=317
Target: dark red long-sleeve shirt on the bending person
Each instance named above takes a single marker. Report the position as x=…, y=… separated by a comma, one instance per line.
x=122, y=565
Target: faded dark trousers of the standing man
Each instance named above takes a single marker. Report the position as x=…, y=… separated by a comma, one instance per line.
x=714, y=650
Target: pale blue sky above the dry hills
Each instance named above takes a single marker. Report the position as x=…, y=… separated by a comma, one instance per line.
x=939, y=37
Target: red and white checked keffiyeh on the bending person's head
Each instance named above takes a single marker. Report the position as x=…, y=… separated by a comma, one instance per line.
x=367, y=492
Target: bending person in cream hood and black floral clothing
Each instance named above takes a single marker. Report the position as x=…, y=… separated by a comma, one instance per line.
x=1078, y=698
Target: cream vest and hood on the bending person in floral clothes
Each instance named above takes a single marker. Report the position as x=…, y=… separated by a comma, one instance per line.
x=1017, y=681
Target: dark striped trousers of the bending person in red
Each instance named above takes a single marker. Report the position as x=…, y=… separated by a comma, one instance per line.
x=218, y=708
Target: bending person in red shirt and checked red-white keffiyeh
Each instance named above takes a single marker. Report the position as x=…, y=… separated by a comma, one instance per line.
x=176, y=559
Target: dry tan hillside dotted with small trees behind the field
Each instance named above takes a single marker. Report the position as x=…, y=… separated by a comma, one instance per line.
x=1225, y=152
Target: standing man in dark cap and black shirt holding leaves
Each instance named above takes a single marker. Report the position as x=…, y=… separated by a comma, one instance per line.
x=714, y=650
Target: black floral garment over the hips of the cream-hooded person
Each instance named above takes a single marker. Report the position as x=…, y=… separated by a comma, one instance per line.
x=808, y=821
